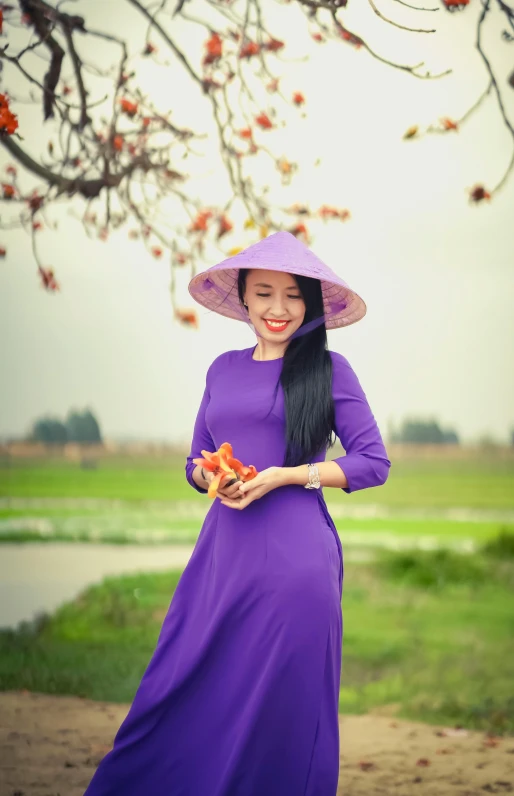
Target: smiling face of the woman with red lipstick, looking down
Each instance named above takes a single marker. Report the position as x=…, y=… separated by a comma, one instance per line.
x=275, y=304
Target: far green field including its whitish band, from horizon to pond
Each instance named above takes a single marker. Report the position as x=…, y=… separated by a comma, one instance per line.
x=433, y=500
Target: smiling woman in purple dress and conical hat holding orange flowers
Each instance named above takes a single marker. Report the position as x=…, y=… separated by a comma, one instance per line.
x=241, y=695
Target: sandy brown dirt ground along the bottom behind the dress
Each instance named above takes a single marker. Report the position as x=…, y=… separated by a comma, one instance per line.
x=50, y=746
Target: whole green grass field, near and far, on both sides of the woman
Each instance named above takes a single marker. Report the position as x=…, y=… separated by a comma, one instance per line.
x=429, y=634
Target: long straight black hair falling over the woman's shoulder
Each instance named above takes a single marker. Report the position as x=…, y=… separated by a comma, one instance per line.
x=306, y=379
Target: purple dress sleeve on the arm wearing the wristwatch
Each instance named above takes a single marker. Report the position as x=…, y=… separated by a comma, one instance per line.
x=365, y=463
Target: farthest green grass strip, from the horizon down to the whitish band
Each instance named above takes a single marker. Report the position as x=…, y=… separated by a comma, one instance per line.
x=430, y=483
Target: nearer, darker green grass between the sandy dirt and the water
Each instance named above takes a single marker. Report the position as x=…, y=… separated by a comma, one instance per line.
x=427, y=634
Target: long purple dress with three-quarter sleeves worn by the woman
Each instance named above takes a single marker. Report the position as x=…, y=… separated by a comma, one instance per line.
x=240, y=697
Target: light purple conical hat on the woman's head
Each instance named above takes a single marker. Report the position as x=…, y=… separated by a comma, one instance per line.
x=216, y=288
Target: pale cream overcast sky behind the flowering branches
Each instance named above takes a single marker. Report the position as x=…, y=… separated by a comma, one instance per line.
x=435, y=272
